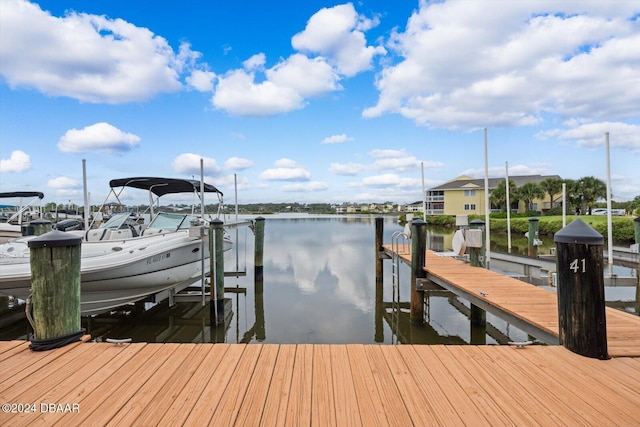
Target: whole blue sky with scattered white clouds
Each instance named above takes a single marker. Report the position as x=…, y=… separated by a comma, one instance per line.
x=316, y=101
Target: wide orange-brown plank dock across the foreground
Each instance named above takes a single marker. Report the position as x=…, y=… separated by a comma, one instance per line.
x=102, y=384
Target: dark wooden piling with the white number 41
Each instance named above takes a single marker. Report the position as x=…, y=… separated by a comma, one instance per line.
x=581, y=302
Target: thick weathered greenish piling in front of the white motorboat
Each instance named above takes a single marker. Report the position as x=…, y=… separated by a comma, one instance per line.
x=55, y=284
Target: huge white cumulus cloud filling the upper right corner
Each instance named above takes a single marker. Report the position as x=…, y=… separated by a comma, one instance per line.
x=467, y=66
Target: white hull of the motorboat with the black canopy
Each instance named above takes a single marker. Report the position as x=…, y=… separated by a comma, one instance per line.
x=115, y=273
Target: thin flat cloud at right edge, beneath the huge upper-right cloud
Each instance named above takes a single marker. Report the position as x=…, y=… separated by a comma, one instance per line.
x=622, y=135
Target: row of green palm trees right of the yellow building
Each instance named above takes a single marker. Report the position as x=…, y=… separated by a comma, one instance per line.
x=582, y=194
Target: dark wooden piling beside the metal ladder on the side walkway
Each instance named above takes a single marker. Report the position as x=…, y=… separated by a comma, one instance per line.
x=418, y=256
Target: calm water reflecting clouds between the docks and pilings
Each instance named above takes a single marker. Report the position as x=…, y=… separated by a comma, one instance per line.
x=319, y=287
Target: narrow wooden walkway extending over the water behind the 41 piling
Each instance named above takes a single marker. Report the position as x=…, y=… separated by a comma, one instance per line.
x=530, y=308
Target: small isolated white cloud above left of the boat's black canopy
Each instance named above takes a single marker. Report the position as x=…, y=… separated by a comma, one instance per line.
x=102, y=137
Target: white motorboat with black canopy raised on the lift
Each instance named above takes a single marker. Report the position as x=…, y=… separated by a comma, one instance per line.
x=123, y=262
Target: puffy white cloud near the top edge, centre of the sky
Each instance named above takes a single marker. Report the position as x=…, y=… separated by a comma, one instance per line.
x=337, y=34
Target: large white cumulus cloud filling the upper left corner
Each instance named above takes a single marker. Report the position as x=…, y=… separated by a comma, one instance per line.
x=87, y=57
